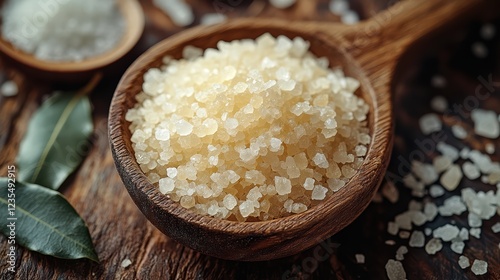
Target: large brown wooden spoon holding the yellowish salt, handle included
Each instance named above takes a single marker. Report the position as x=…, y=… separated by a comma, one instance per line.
x=368, y=51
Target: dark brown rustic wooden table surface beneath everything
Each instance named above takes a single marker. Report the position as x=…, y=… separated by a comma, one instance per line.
x=120, y=231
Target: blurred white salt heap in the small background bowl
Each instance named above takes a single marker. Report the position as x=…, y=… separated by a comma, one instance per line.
x=69, y=30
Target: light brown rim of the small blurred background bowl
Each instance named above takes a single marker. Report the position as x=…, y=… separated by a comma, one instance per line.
x=134, y=26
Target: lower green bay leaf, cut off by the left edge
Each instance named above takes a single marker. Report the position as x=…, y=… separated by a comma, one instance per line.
x=46, y=222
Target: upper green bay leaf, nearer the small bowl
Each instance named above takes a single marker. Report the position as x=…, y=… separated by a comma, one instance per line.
x=56, y=140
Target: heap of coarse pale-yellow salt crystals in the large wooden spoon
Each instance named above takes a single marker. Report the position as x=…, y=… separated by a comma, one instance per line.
x=253, y=130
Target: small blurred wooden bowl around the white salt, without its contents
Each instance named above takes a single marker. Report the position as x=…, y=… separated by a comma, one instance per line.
x=82, y=70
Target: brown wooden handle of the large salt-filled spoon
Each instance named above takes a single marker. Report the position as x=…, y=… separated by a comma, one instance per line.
x=386, y=36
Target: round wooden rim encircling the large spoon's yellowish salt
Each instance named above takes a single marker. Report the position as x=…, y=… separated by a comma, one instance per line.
x=374, y=174
